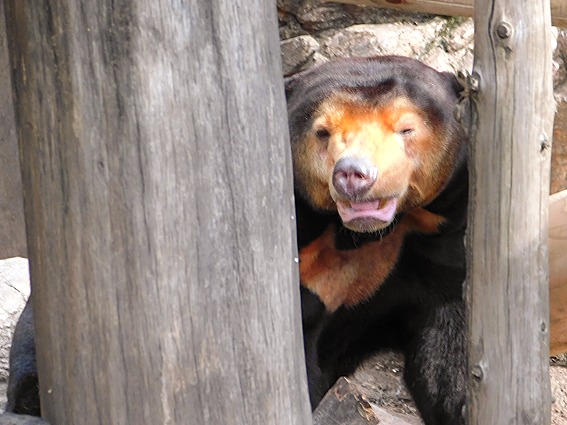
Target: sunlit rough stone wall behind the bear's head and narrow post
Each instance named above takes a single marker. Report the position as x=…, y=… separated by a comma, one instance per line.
x=312, y=32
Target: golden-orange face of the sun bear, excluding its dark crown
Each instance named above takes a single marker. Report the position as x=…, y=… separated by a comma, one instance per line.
x=407, y=153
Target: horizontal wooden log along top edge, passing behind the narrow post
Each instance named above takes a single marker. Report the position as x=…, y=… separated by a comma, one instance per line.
x=450, y=7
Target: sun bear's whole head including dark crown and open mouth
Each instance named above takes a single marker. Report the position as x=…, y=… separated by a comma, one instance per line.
x=371, y=139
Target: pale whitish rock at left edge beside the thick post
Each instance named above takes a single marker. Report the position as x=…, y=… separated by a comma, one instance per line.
x=14, y=291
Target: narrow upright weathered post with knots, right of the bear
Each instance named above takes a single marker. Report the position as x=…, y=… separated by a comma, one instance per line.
x=507, y=290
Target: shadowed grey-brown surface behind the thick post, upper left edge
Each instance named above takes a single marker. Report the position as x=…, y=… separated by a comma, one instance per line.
x=12, y=229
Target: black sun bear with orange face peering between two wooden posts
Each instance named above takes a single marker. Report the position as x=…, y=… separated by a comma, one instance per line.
x=381, y=187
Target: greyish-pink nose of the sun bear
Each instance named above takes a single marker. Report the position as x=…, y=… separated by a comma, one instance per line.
x=353, y=176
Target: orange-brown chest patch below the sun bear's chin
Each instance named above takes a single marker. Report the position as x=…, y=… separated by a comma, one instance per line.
x=348, y=277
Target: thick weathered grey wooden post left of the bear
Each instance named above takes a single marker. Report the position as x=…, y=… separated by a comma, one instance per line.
x=159, y=205
